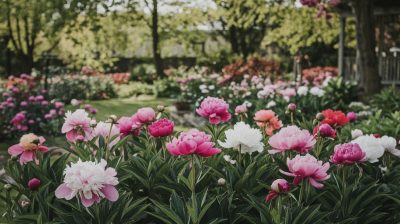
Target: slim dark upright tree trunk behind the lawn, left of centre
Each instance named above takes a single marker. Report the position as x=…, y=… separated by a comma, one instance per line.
x=158, y=63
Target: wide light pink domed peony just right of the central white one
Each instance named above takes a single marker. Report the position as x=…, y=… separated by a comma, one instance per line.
x=291, y=138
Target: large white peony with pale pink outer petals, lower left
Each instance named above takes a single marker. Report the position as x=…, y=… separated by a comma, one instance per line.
x=90, y=181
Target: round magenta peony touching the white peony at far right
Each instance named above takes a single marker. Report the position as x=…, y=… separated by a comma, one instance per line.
x=348, y=153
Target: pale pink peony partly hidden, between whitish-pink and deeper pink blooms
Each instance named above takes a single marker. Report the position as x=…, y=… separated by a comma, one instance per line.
x=108, y=131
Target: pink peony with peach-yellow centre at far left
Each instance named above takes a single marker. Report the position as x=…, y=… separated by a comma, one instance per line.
x=27, y=147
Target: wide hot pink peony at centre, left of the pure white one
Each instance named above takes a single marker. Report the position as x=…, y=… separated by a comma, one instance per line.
x=192, y=142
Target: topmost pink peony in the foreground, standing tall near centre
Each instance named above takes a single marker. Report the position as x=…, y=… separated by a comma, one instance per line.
x=215, y=109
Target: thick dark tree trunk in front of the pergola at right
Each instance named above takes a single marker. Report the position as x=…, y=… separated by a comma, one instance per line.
x=367, y=60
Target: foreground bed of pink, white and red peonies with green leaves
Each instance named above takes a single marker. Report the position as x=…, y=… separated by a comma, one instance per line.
x=258, y=169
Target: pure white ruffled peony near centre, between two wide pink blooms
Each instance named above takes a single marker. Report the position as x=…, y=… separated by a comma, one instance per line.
x=244, y=137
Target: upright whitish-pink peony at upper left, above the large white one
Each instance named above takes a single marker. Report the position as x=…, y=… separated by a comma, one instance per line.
x=76, y=124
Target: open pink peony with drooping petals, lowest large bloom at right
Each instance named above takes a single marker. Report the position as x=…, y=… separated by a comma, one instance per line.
x=301, y=167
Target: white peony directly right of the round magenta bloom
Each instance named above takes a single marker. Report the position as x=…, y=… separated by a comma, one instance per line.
x=371, y=146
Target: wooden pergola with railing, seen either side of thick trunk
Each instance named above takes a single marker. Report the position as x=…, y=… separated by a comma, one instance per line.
x=386, y=12
